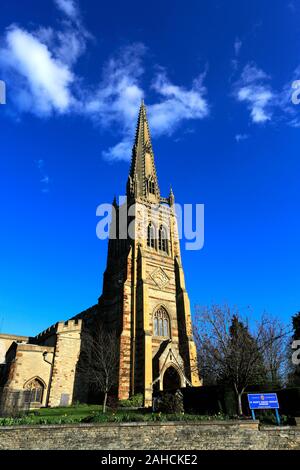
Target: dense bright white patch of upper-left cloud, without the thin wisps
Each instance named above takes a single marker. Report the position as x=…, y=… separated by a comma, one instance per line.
x=42, y=81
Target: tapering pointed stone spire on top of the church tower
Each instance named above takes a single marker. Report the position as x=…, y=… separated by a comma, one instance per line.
x=142, y=182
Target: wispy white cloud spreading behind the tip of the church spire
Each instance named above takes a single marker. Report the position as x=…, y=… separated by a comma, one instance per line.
x=118, y=98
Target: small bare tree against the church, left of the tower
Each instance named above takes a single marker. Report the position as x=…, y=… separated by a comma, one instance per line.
x=100, y=360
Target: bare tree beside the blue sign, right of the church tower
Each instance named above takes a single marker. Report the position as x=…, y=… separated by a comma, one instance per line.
x=228, y=352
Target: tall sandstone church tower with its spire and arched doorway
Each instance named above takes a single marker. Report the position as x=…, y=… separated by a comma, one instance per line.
x=144, y=295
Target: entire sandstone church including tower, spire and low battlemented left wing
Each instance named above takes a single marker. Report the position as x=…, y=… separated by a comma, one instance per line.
x=144, y=300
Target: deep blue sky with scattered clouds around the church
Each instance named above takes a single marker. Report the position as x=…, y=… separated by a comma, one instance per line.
x=217, y=79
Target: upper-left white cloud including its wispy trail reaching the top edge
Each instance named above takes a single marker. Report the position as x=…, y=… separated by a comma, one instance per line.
x=38, y=65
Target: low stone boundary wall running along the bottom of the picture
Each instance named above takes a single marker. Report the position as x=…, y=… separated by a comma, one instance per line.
x=151, y=436
